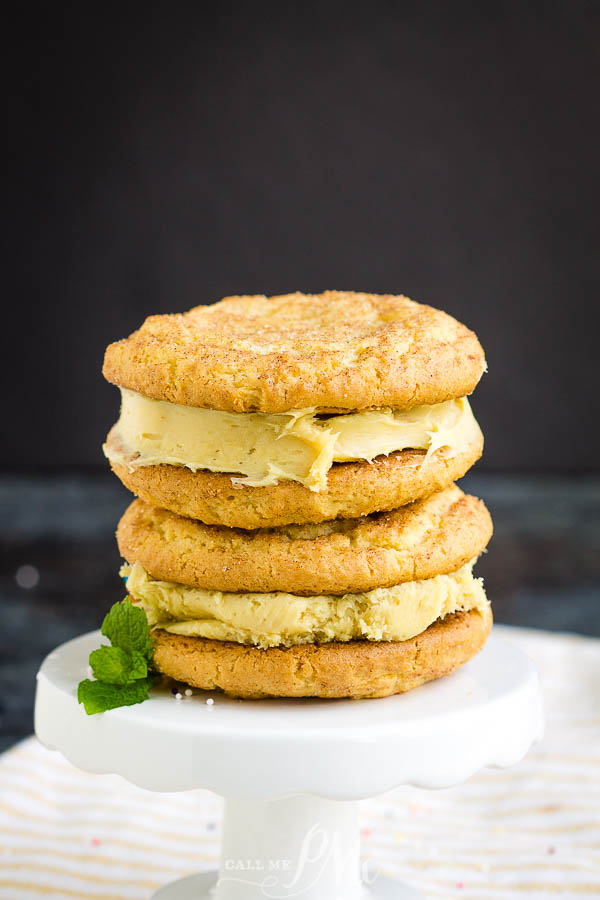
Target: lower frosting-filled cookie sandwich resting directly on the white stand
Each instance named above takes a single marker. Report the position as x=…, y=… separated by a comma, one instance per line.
x=347, y=608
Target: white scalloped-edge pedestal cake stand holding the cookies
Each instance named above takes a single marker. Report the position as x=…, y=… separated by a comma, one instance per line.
x=292, y=771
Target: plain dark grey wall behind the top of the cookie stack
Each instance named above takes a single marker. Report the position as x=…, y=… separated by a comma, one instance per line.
x=447, y=151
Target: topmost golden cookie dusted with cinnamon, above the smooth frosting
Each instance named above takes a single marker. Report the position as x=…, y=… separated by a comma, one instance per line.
x=335, y=351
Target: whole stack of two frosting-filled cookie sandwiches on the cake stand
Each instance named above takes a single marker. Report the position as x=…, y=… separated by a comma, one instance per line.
x=298, y=531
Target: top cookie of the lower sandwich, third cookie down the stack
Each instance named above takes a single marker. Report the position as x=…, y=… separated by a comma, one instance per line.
x=429, y=537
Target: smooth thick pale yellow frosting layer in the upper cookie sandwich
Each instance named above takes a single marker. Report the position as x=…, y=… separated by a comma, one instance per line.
x=262, y=449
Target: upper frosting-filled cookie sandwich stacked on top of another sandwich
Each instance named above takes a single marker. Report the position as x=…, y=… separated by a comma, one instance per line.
x=264, y=411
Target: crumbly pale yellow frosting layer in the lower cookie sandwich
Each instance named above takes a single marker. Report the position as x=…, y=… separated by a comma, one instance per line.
x=277, y=619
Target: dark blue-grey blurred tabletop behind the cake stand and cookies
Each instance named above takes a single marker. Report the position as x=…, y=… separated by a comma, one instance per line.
x=542, y=568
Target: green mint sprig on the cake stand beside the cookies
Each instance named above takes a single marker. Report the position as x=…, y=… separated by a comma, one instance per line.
x=122, y=670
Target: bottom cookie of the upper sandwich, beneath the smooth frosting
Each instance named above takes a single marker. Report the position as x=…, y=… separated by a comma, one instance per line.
x=353, y=489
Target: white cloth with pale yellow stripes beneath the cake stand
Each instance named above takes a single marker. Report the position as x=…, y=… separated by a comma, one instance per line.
x=529, y=831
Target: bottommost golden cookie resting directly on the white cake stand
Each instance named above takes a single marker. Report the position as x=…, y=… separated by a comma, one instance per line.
x=358, y=669
